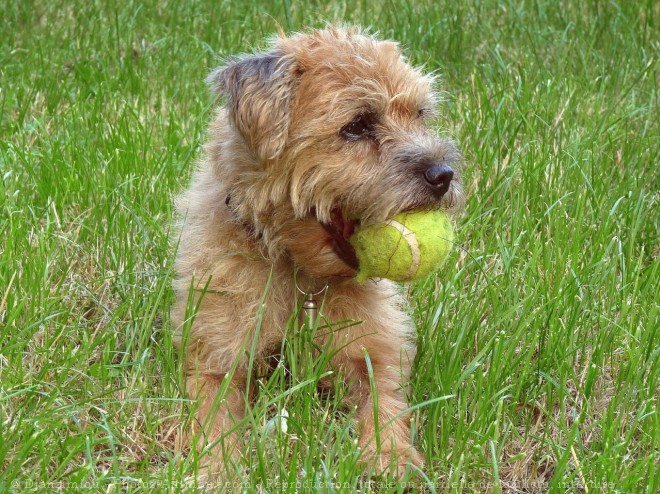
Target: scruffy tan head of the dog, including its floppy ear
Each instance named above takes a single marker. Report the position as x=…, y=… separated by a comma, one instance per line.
x=332, y=130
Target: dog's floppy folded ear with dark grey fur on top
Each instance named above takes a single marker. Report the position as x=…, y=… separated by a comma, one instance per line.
x=259, y=90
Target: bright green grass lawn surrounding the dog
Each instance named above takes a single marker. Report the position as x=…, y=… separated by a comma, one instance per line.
x=539, y=342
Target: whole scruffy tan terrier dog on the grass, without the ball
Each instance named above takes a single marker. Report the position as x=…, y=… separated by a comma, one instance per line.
x=325, y=132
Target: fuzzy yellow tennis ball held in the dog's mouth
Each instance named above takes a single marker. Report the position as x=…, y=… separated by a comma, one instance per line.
x=407, y=247
